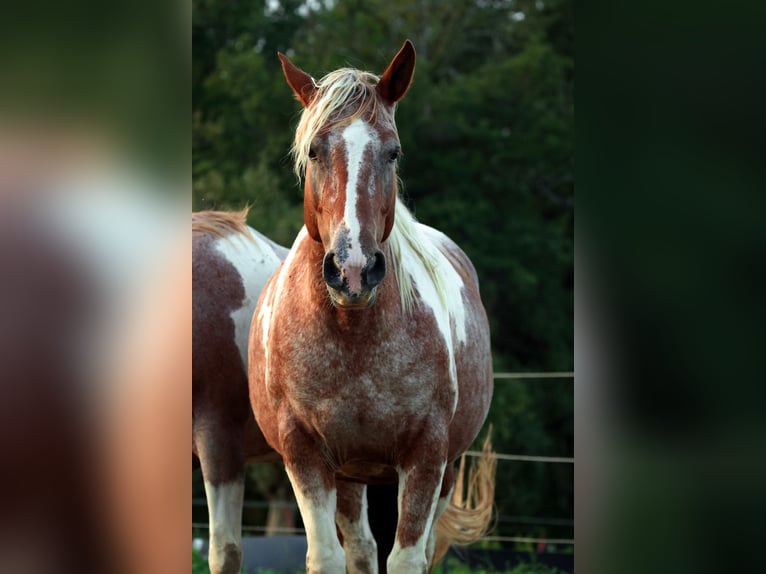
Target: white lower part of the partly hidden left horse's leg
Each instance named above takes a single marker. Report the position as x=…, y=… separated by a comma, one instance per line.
x=224, y=503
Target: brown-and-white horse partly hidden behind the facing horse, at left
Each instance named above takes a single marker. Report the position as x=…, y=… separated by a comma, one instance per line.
x=230, y=265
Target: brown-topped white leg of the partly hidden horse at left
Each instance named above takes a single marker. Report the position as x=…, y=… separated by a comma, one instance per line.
x=222, y=462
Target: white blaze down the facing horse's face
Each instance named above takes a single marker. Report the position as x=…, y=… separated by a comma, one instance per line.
x=357, y=137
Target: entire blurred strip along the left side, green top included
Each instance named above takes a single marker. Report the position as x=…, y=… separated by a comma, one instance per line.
x=95, y=323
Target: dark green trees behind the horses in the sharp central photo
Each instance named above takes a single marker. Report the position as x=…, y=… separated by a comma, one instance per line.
x=487, y=131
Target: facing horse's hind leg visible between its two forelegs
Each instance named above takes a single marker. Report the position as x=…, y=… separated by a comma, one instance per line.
x=351, y=518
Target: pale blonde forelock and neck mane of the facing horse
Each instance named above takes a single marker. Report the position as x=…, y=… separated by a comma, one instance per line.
x=343, y=96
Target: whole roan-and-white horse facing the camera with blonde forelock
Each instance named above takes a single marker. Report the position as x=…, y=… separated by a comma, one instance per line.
x=369, y=357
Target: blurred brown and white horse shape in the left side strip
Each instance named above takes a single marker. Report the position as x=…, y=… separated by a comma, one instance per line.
x=95, y=343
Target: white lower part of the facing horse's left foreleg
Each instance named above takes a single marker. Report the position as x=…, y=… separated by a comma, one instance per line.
x=325, y=553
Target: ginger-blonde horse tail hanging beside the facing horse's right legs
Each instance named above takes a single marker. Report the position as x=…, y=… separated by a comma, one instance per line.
x=469, y=514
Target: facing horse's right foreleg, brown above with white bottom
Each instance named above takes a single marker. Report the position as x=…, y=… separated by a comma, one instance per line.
x=419, y=493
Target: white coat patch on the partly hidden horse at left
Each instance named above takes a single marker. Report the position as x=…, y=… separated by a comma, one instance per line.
x=255, y=262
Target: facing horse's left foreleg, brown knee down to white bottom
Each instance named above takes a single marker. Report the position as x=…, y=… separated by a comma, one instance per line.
x=314, y=487
